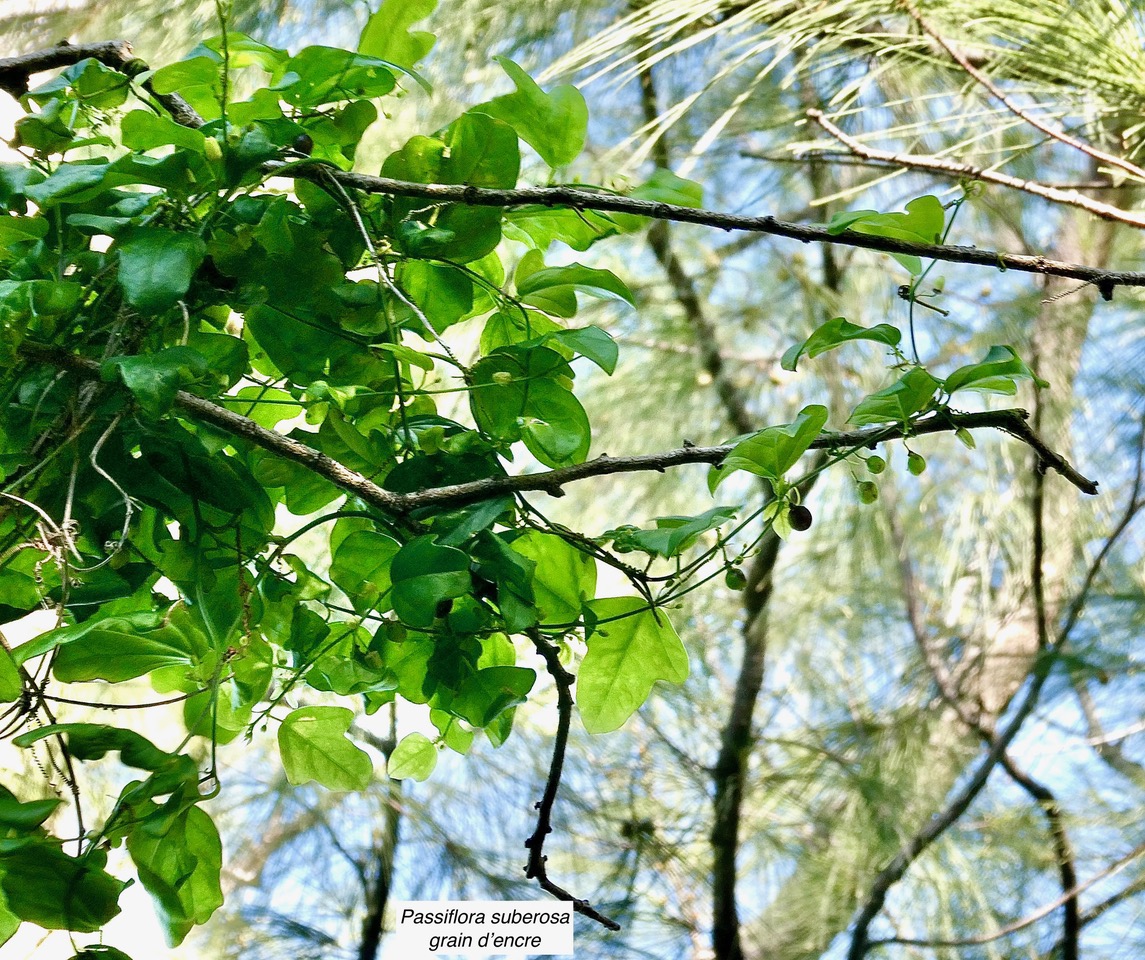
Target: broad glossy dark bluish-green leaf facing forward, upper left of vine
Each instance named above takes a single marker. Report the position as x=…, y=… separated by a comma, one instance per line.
x=156, y=267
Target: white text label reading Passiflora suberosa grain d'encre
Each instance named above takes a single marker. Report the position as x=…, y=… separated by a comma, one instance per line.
x=481, y=928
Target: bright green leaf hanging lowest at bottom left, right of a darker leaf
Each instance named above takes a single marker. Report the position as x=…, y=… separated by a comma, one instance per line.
x=179, y=860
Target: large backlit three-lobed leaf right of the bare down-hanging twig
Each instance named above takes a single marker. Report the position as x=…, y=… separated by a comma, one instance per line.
x=627, y=656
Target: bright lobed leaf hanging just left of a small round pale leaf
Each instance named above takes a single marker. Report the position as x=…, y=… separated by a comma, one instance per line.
x=314, y=747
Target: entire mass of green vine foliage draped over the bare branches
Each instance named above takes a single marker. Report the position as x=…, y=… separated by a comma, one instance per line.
x=218, y=261
